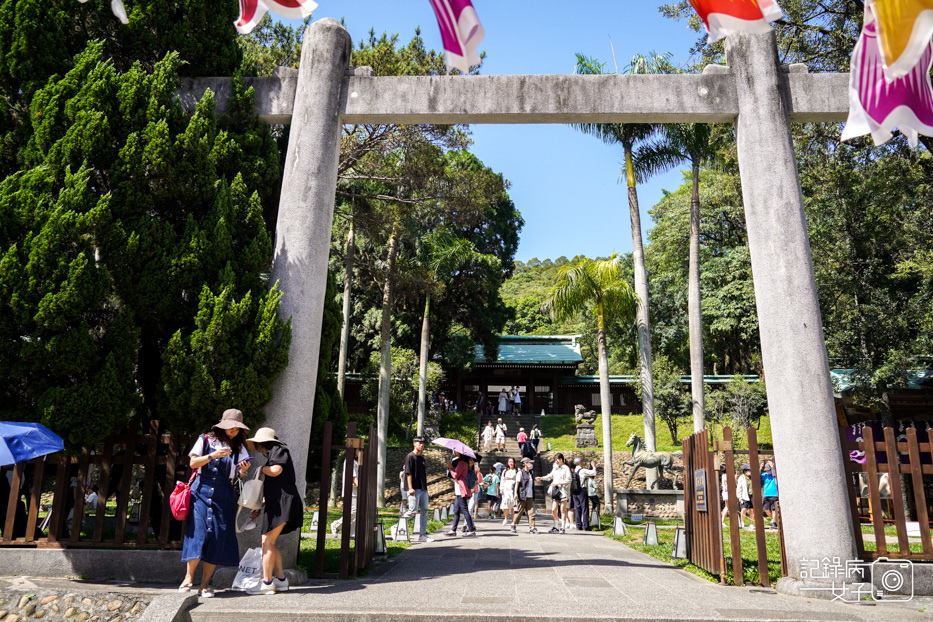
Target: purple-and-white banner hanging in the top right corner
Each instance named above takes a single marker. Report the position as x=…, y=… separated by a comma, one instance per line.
x=876, y=105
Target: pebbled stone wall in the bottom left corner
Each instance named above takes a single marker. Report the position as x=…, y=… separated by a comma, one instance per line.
x=71, y=606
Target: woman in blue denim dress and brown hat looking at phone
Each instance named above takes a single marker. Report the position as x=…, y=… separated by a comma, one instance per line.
x=210, y=534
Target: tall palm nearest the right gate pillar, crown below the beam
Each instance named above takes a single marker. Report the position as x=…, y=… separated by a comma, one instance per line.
x=691, y=142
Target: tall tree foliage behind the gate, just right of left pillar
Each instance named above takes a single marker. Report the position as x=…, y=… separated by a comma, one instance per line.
x=406, y=182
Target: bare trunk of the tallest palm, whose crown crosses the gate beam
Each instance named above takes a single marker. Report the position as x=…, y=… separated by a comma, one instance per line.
x=642, y=315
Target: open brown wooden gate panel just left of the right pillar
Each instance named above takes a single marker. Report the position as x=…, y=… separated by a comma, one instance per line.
x=703, y=526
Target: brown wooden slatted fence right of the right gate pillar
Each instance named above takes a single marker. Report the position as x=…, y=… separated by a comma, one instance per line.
x=903, y=462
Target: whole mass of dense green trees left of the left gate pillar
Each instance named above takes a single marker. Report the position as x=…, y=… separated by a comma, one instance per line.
x=135, y=238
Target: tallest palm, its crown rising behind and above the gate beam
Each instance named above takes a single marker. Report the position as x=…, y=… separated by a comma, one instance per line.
x=628, y=135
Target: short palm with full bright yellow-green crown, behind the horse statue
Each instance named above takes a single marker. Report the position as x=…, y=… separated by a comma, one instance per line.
x=602, y=284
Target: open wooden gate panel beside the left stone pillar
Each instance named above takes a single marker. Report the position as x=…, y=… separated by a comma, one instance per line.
x=365, y=530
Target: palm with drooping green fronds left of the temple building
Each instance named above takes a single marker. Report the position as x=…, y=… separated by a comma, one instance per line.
x=443, y=254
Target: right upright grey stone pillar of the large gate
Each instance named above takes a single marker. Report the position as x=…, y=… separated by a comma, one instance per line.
x=814, y=503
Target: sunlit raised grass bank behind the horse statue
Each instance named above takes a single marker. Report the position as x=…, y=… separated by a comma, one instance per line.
x=561, y=432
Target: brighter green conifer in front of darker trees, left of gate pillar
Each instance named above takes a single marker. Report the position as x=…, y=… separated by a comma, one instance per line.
x=174, y=247
